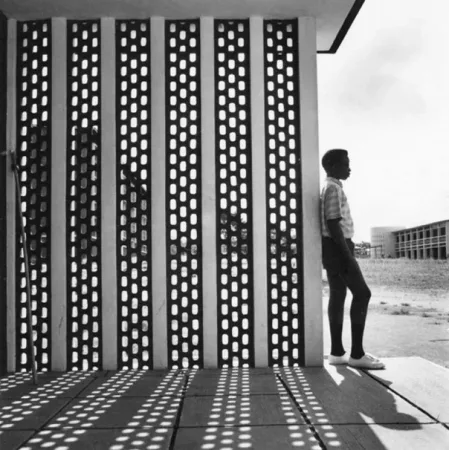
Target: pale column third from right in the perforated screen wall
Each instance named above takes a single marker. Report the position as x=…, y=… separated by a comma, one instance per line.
x=208, y=193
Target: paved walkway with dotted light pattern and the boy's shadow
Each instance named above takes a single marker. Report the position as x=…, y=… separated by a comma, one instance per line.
x=402, y=407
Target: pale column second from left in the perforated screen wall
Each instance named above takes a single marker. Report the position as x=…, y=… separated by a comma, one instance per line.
x=58, y=196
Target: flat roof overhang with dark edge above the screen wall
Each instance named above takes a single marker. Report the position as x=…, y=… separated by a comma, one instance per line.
x=334, y=17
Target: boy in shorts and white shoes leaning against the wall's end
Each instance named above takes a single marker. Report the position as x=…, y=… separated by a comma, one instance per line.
x=342, y=269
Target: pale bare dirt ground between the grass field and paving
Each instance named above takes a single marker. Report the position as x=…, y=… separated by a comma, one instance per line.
x=401, y=323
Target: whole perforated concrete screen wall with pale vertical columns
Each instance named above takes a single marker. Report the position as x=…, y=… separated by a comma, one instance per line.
x=170, y=184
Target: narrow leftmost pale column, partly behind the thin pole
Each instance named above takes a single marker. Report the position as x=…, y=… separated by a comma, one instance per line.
x=11, y=197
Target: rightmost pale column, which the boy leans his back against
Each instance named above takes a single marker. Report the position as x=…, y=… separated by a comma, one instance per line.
x=311, y=237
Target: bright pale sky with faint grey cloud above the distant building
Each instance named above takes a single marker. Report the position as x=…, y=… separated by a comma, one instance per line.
x=384, y=96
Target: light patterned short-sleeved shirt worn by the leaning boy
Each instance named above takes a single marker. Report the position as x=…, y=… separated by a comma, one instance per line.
x=334, y=205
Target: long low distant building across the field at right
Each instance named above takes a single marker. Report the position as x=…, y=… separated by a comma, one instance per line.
x=429, y=241
